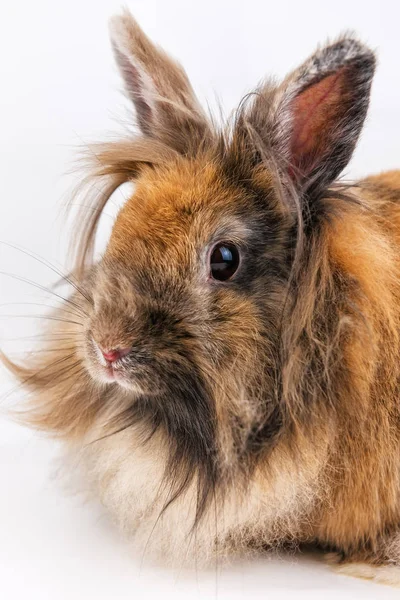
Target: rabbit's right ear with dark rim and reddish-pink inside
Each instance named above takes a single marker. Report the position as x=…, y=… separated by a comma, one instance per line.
x=315, y=116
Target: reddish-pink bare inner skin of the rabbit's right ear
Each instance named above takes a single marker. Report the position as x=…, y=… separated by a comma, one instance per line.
x=316, y=111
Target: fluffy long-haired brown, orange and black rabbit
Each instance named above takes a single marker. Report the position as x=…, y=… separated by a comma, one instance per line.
x=229, y=377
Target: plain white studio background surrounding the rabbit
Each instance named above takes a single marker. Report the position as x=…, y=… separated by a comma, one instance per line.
x=58, y=89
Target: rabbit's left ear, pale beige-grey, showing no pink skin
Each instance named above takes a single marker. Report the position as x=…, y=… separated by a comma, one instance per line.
x=165, y=103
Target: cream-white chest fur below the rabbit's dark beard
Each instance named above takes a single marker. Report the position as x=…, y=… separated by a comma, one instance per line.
x=129, y=479
